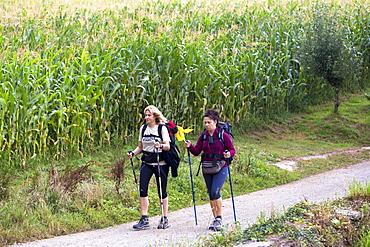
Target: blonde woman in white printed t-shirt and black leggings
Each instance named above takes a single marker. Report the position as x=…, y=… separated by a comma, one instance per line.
x=151, y=145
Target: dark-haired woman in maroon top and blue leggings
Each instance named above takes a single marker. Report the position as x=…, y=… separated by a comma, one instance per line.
x=214, y=148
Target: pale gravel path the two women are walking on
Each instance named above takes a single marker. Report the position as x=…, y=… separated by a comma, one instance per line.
x=184, y=232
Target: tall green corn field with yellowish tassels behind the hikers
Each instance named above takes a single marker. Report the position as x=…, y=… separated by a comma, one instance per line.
x=77, y=74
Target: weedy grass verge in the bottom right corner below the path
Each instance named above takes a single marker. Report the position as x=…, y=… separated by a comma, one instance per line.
x=342, y=222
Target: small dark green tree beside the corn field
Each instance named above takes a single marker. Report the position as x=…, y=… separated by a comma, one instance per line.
x=327, y=53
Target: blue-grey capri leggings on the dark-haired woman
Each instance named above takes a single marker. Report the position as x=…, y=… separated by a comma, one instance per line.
x=214, y=183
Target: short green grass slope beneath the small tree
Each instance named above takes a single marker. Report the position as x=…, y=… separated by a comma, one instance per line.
x=317, y=131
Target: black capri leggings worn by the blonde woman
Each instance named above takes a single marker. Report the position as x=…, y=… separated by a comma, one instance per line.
x=146, y=172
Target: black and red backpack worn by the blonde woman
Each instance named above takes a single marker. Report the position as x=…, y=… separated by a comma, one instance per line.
x=171, y=157
